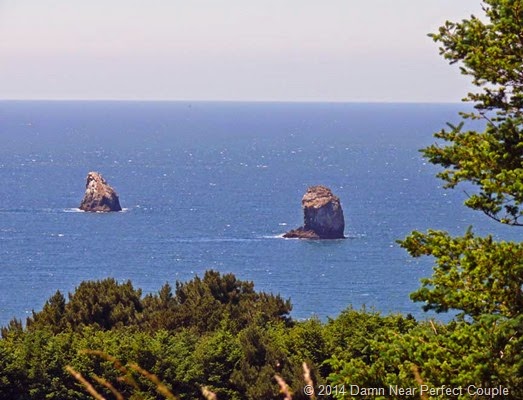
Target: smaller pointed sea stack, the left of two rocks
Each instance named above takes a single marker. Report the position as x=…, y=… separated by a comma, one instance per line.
x=99, y=196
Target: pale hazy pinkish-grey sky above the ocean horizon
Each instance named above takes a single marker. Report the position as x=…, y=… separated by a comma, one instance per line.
x=235, y=50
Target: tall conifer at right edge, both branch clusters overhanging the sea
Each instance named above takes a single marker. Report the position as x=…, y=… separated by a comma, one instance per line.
x=490, y=50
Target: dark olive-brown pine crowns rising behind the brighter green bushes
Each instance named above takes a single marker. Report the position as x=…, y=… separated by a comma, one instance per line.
x=201, y=304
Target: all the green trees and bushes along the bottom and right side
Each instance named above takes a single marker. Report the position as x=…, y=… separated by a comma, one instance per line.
x=218, y=332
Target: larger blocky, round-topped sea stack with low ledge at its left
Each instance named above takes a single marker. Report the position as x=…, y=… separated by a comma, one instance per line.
x=322, y=216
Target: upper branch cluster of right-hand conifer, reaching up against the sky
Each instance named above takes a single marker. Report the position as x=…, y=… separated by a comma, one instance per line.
x=490, y=51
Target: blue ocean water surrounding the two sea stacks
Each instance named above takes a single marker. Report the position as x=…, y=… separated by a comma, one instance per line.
x=214, y=185
